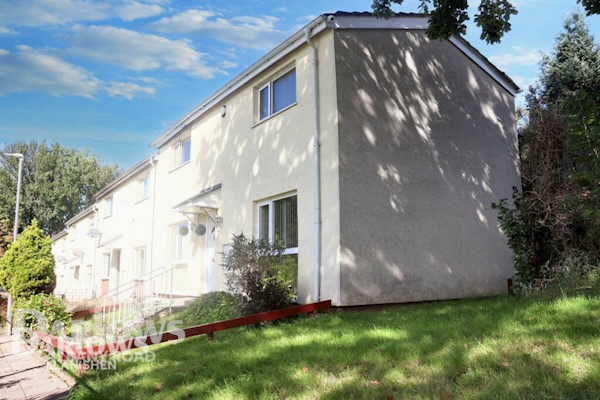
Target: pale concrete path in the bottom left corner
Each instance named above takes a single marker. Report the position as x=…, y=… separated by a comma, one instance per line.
x=25, y=376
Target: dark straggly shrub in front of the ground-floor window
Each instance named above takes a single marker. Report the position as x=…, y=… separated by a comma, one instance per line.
x=258, y=272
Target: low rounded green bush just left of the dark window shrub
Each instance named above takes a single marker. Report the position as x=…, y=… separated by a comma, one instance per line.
x=212, y=307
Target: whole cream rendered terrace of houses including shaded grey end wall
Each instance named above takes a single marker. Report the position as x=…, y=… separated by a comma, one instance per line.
x=373, y=152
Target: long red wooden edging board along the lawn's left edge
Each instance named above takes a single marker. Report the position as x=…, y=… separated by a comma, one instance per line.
x=88, y=352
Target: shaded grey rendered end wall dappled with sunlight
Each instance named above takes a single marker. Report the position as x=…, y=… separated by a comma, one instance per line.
x=427, y=142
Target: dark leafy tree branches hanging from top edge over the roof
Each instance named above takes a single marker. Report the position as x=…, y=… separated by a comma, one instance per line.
x=449, y=17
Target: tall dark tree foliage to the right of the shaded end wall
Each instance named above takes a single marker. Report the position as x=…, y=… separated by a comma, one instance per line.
x=557, y=216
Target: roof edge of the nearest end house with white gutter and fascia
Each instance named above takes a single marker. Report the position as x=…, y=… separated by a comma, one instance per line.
x=337, y=20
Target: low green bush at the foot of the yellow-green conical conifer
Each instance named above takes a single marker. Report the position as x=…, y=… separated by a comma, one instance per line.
x=28, y=311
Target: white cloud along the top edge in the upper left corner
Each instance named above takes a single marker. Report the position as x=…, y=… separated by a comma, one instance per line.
x=53, y=12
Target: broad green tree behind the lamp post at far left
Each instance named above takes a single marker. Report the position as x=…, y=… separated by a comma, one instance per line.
x=58, y=182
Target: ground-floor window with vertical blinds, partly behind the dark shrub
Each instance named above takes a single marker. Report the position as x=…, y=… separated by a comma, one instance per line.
x=278, y=222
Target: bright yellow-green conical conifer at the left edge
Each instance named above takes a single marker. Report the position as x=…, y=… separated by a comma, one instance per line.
x=27, y=267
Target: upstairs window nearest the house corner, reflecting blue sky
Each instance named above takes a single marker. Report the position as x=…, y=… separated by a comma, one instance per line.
x=277, y=95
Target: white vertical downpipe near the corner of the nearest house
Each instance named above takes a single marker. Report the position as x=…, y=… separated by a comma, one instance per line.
x=317, y=166
